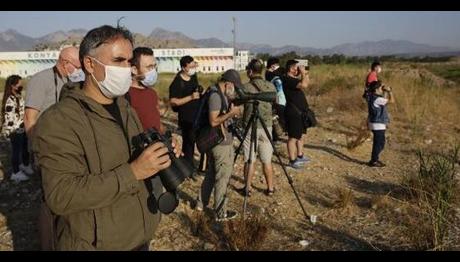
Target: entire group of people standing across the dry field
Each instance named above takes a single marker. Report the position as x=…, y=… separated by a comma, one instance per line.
x=80, y=118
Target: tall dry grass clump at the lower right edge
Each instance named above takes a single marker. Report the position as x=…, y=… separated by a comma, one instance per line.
x=432, y=220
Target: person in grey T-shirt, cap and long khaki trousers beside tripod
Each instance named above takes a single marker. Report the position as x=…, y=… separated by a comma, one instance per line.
x=219, y=112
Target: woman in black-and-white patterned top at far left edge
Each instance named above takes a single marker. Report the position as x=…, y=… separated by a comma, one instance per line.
x=12, y=124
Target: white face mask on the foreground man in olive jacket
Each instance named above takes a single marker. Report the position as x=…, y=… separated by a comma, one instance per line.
x=117, y=80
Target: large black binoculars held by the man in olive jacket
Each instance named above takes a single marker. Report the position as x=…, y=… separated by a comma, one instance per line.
x=171, y=177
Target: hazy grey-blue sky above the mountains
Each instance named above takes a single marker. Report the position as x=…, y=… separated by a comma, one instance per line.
x=312, y=29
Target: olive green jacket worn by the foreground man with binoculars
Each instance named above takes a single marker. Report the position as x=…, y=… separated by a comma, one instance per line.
x=88, y=184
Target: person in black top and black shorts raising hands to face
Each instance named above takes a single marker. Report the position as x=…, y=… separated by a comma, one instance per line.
x=294, y=81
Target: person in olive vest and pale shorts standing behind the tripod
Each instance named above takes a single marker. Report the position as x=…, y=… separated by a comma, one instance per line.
x=264, y=148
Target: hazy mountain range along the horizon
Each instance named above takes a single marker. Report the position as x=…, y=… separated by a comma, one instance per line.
x=12, y=40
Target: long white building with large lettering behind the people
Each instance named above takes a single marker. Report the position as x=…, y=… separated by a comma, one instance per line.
x=210, y=60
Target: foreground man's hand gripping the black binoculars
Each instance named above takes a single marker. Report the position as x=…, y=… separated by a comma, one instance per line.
x=152, y=160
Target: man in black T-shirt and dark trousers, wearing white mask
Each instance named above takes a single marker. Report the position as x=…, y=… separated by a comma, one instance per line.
x=184, y=99
